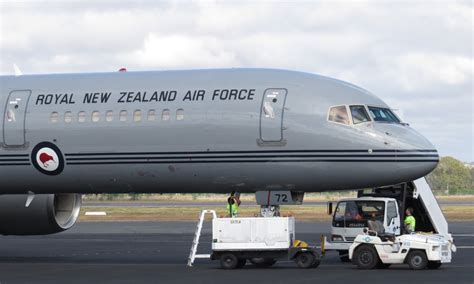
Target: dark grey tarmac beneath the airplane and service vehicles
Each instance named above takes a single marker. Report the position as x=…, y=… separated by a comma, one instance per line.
x=156, y=252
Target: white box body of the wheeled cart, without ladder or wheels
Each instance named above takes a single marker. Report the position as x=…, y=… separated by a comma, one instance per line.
x=237, y=234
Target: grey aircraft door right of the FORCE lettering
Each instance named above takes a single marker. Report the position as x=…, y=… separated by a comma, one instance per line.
x=271, y=115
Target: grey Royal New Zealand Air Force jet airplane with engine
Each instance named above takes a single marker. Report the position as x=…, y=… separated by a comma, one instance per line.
x=191, y=131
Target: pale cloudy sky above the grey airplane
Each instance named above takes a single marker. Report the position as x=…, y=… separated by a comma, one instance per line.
x=415, y=55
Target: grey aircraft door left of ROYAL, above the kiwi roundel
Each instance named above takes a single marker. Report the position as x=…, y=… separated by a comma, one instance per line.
x=14, y=118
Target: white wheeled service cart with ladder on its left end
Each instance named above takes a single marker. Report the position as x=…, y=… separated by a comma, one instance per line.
x=260, y=240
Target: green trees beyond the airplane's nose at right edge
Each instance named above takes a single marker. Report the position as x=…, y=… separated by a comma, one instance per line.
x=451, y=175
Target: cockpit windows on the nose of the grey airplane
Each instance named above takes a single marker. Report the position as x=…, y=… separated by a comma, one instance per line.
x=360, y=114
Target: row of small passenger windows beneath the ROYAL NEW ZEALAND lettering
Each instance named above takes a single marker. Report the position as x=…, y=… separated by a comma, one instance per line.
x=96, y=116
